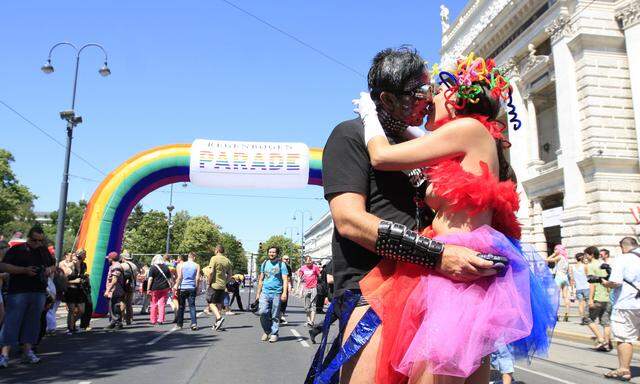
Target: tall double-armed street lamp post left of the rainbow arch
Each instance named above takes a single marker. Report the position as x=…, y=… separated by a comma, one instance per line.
x=72, y=121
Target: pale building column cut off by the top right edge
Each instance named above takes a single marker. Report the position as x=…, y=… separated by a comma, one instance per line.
x=629, y=17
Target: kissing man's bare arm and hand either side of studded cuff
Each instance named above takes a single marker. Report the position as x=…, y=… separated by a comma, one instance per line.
x=353, y=222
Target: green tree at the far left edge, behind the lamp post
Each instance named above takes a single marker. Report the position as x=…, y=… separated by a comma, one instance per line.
x=16, y=201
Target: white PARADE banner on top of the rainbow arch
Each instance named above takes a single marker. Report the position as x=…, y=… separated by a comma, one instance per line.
x=244, y=164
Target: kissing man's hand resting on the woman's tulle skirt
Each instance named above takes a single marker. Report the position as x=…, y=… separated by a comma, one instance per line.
x=461, y=264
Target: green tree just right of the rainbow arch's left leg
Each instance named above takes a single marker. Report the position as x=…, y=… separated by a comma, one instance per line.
x=149, y=236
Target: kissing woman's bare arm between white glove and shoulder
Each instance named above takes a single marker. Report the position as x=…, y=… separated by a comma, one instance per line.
x=451, y=140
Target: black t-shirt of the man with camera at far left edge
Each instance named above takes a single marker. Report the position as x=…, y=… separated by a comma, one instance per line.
x=23, y=256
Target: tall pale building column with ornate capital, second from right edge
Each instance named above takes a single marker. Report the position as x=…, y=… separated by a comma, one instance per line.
x=576, y=213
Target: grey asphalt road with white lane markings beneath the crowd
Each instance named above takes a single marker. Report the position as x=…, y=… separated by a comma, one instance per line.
x=143, y=354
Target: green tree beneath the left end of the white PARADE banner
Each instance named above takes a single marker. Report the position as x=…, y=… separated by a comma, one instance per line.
x=200, y=236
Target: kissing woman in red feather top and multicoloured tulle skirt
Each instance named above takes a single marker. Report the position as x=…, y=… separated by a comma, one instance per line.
x=435, y=330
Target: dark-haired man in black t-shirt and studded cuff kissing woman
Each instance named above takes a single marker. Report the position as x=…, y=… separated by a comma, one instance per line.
x=368, y=204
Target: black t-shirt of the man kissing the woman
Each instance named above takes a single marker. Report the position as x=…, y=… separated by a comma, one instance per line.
x=346, y=167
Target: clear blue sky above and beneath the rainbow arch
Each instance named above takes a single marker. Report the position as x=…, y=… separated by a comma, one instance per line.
x=193, y=69
